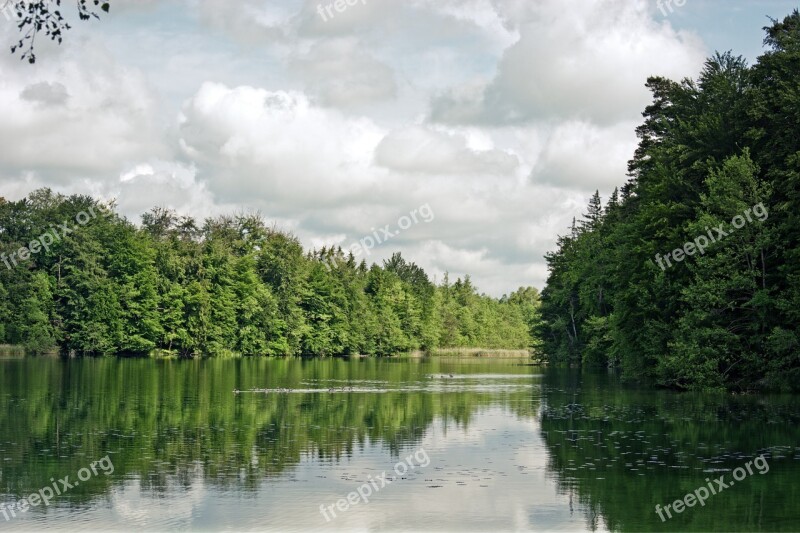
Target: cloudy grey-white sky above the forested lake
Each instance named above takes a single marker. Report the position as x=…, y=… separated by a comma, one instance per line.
x=465, y=134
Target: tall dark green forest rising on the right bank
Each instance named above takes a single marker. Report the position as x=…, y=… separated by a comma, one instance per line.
x=710, y=150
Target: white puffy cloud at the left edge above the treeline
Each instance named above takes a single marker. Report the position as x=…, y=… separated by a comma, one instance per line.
x=77, y=117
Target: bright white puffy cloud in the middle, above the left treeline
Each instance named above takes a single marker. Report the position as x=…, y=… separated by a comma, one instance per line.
x=277, y=147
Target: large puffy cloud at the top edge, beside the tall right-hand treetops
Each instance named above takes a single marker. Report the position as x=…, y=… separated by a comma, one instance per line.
x=575, y=59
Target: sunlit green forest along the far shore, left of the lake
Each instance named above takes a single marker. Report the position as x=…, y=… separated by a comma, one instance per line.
x=101, y=285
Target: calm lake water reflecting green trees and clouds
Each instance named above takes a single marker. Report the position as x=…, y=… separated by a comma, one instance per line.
x=497, y=446
